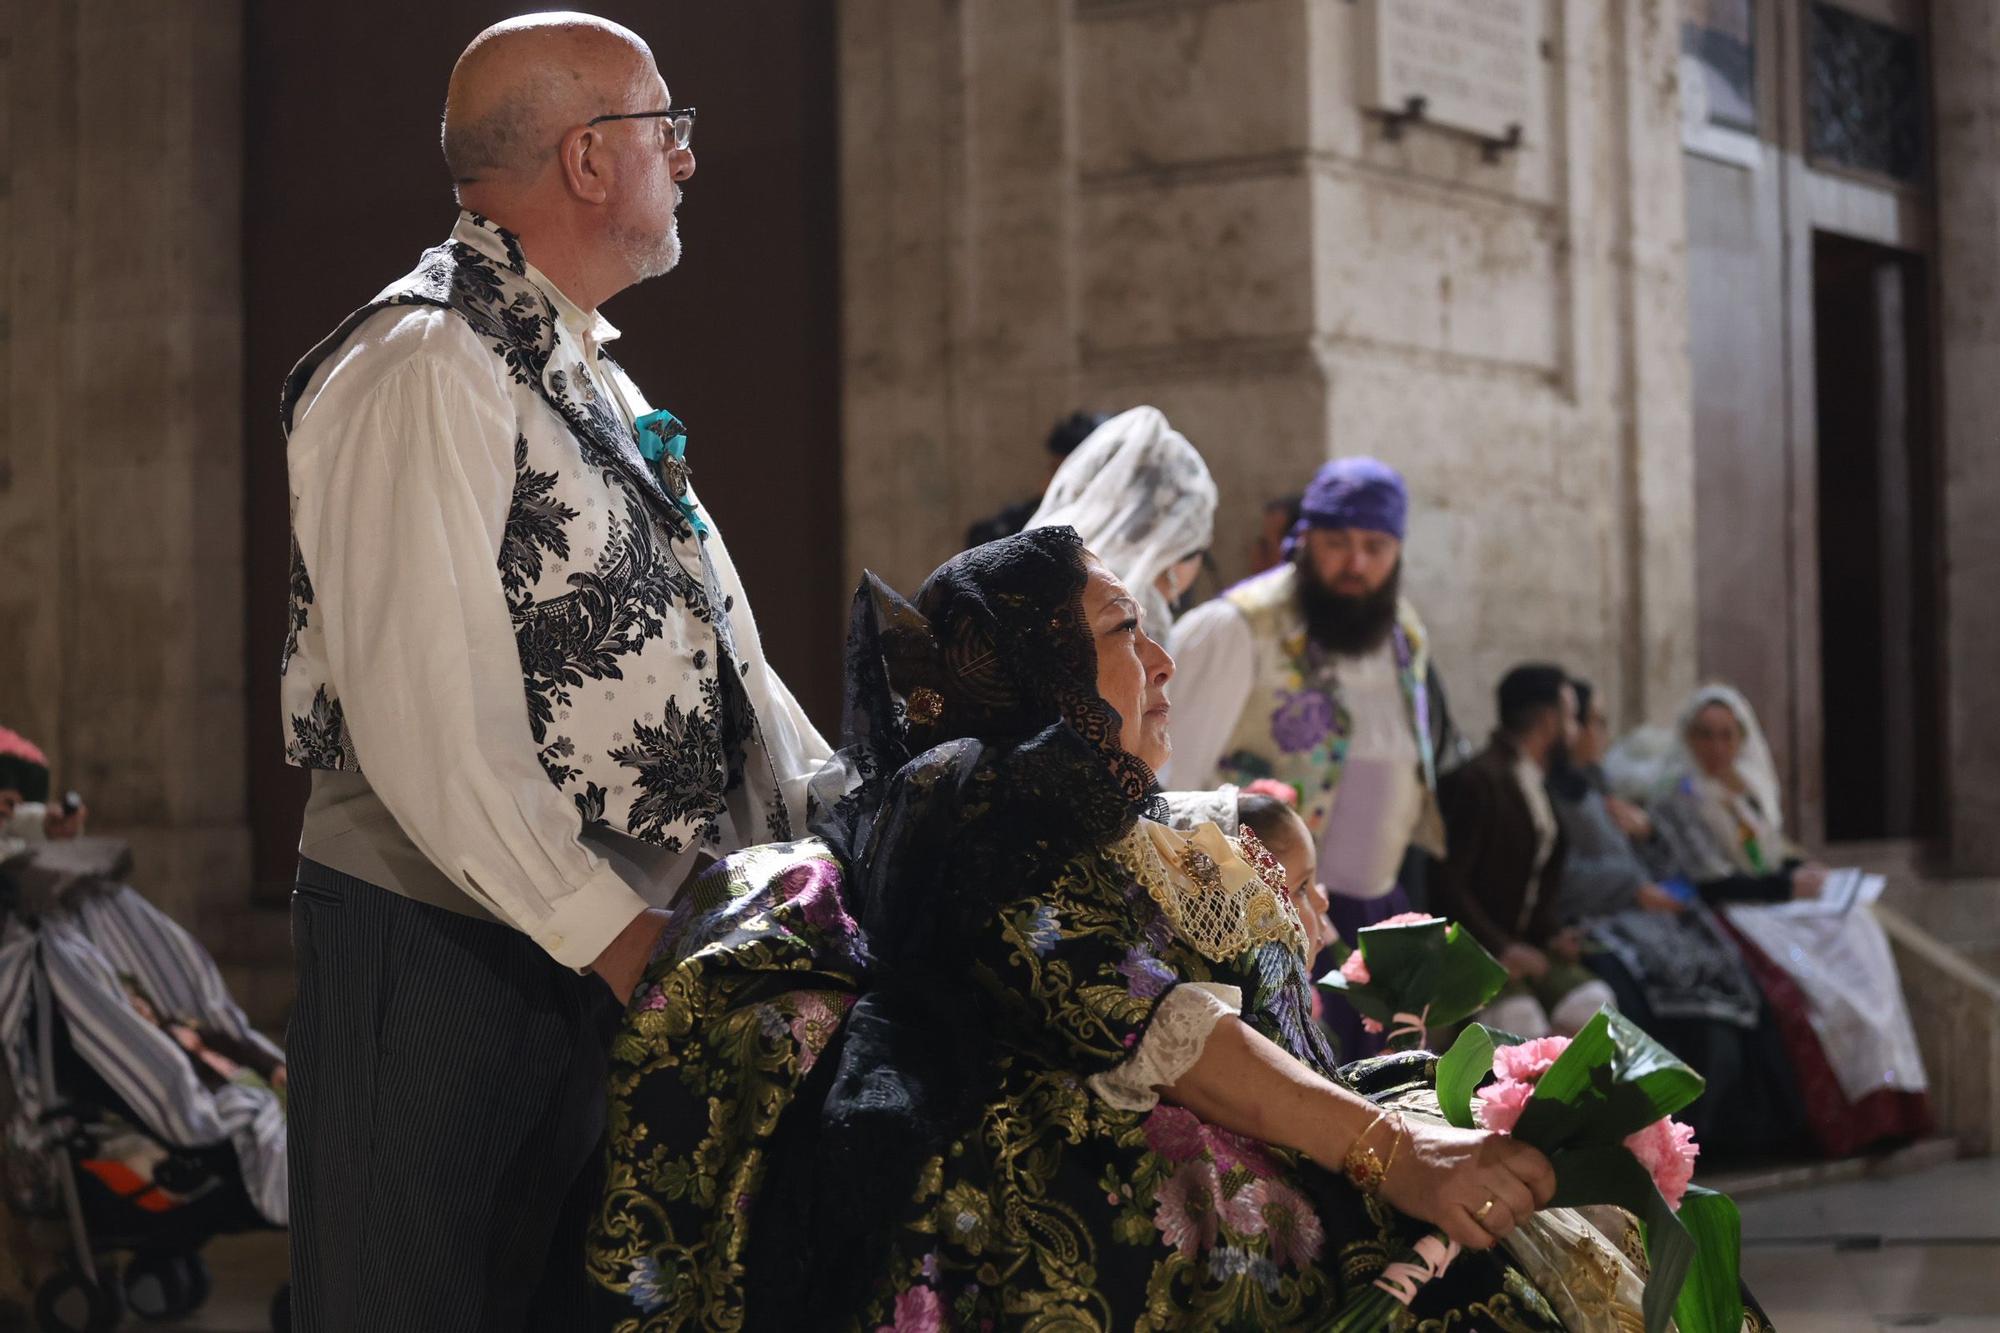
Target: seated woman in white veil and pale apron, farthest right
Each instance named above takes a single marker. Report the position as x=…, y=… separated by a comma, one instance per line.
x=1829, y=978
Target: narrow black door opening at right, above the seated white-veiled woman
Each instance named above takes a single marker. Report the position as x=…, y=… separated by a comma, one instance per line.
x=1879, y=567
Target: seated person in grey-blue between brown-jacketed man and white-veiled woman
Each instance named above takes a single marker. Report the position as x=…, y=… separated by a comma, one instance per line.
x=1673, y=966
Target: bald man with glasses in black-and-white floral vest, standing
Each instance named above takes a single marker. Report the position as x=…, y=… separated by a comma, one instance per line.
x=531, y=694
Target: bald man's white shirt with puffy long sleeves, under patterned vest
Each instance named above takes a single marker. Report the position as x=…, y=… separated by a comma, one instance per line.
x=403, y=465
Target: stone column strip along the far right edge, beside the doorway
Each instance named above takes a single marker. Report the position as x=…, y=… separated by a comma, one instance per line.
x=1967, y=89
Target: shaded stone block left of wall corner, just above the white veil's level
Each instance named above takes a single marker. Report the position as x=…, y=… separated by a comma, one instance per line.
x=1195, y=261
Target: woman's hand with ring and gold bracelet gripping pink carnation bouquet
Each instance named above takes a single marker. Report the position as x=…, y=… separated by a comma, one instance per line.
x=1473, y=1184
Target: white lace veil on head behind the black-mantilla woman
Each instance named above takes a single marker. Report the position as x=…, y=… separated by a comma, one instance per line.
x=1143, y=501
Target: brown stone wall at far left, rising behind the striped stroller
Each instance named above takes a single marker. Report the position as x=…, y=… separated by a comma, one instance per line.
x=121, y=433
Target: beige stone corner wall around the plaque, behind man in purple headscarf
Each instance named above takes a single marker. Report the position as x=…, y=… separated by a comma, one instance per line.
x=1183, y=203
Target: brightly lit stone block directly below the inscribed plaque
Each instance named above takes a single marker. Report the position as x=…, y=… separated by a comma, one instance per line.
x=1405, y=265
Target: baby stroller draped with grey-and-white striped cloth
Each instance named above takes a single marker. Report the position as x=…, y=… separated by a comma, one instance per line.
x=123, y=1142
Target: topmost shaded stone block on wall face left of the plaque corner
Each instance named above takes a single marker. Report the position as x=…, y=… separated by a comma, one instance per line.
x=1169, y=85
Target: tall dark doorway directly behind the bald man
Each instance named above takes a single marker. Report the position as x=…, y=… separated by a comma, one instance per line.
x=345, y=187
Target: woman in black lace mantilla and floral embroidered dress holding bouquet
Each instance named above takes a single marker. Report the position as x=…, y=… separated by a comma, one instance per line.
x=997, y=1050
